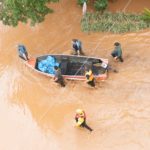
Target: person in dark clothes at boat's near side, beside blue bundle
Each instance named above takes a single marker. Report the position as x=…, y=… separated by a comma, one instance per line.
x=58, y=78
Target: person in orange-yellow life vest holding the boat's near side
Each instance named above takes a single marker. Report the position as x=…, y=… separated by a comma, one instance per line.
x=90, y=77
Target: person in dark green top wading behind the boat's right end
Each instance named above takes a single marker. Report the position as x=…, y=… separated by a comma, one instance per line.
x=117, y=52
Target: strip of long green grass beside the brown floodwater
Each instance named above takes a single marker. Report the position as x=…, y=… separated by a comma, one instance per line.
x=113, y=22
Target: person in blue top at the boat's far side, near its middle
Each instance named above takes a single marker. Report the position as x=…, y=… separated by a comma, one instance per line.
x=77, y=46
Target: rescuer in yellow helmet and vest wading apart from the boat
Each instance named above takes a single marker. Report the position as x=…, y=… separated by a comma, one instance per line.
x=80, y=119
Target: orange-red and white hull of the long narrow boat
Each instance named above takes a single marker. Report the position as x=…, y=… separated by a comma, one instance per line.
x=32, y=62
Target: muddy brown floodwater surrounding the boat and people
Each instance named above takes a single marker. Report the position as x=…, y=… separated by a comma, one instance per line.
x=36, y=114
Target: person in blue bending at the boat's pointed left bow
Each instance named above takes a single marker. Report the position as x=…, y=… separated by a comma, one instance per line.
x=23, y=52
